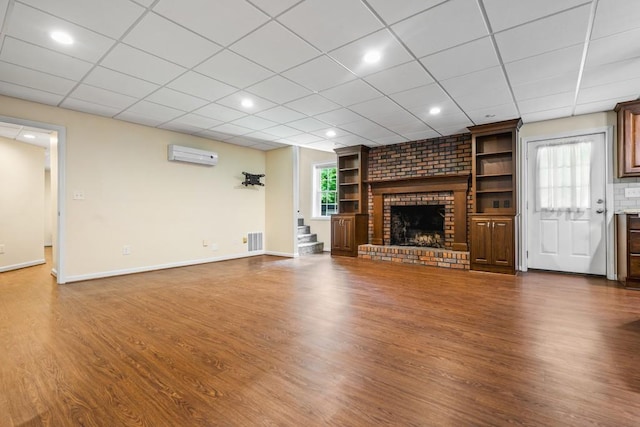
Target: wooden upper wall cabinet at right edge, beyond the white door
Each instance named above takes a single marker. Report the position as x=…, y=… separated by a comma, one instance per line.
x=628, y=139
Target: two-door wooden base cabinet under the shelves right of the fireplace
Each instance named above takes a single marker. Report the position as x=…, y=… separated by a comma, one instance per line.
x=492, y=244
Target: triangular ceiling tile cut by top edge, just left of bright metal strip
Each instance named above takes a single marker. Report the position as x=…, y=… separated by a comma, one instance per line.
x=505, y=14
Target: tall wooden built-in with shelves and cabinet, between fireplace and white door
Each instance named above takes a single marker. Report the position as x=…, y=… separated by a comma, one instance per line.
x=493, y=189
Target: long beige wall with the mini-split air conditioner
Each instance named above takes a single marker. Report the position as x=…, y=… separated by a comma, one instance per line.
x=133, y=196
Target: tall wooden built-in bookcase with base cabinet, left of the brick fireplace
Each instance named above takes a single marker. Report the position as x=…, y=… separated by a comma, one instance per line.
x=349, y=228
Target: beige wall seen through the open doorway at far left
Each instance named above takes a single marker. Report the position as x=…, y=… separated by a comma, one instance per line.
x=22, y=204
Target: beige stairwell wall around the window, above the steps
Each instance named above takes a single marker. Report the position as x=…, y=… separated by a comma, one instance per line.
x=308, y=159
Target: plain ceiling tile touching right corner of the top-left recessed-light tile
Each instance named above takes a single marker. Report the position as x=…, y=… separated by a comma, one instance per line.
x=163, y=38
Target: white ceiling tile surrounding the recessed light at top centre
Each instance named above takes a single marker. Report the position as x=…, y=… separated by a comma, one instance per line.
x=392, y=53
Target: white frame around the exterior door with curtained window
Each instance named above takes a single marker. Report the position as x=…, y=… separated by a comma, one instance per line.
x=523, y=195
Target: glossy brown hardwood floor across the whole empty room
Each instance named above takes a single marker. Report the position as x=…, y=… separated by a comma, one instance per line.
x=318, y=341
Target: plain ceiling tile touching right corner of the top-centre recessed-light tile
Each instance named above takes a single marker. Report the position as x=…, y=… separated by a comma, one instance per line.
x=467, y=58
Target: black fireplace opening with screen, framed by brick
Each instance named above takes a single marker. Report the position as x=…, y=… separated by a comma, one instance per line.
x=418, y=225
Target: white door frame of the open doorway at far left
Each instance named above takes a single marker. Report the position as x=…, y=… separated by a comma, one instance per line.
x=59, y=264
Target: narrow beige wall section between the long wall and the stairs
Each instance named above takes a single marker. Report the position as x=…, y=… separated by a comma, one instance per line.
x=279, y=184
